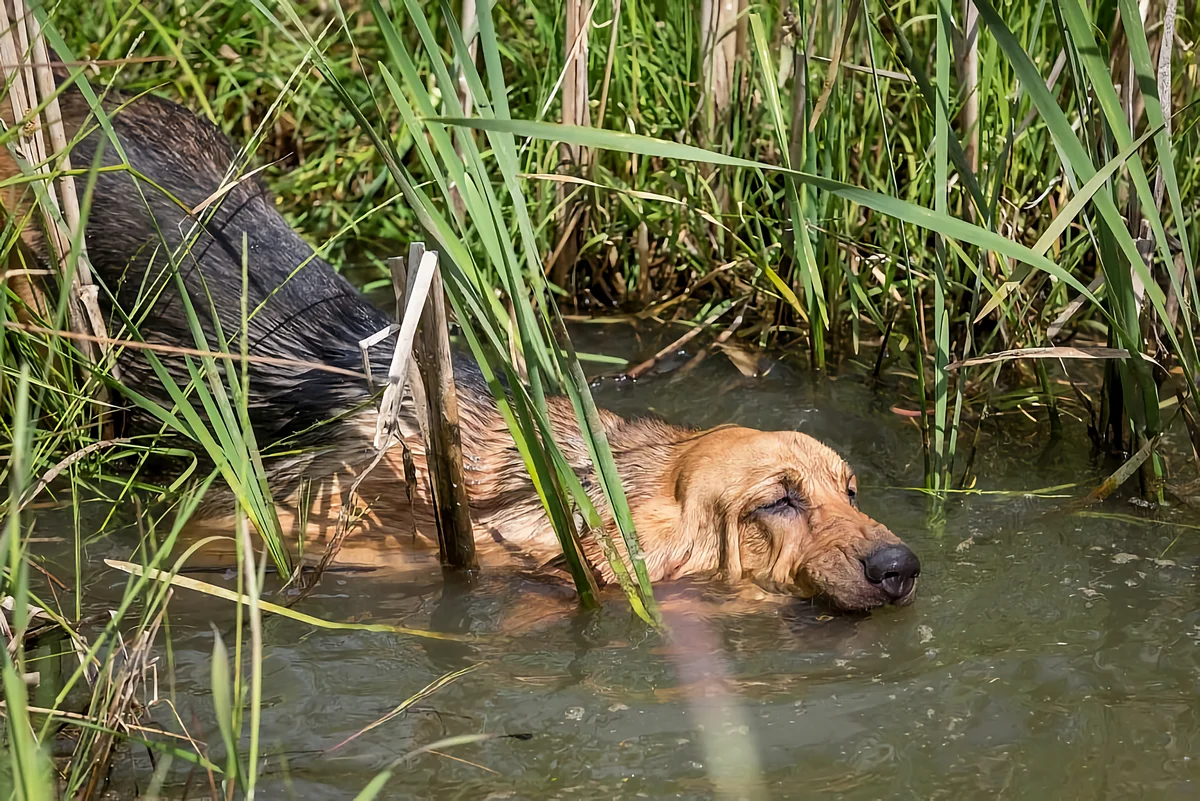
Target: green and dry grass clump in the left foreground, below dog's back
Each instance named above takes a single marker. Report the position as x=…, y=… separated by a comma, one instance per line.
x=52, y=423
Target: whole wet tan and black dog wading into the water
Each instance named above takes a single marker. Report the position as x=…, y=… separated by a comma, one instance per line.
x=777, y=509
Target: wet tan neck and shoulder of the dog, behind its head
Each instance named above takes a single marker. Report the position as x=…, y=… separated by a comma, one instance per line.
x=511, y=525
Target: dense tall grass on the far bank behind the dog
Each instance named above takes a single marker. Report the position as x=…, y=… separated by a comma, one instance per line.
x=893, y=123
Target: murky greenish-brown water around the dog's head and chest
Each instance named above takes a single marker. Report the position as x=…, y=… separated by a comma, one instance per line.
x=1046, y=657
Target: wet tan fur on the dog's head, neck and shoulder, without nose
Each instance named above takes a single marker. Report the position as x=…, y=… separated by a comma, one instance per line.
x=694, y=497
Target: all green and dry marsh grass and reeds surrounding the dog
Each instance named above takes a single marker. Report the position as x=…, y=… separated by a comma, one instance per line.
x=986, y=212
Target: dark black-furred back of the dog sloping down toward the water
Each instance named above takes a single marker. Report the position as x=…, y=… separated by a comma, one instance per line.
x=167, y=212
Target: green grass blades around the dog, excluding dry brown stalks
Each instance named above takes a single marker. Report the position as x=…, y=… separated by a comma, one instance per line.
x=861, y=197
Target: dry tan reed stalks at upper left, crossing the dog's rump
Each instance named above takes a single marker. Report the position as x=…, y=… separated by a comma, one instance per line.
x=32, y=86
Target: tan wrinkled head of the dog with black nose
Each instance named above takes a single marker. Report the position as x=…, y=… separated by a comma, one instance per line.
x=782, y=509
